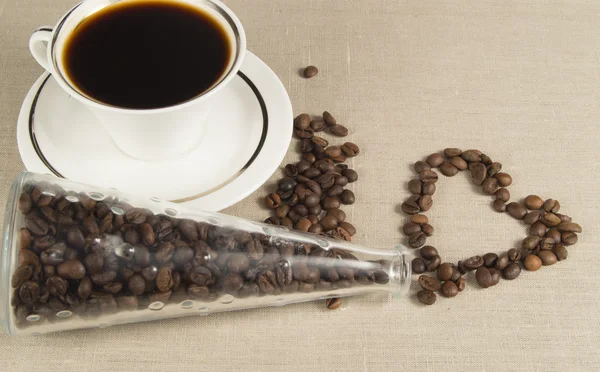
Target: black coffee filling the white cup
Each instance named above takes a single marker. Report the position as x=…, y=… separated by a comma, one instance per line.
x=146, y=55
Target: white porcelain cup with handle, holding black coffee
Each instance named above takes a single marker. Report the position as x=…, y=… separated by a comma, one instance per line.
x=144, y=134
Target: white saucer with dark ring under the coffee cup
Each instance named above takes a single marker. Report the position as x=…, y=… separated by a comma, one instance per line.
x=248, y=133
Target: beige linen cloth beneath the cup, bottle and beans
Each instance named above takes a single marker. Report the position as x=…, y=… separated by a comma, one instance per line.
x=518, y=79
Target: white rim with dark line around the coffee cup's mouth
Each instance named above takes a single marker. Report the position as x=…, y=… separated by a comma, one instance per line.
x=240, y=51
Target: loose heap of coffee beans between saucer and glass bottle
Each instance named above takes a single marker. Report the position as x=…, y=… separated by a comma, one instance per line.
x=310, y=196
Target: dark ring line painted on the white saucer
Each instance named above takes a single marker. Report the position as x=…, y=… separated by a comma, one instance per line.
x=263, y=136
